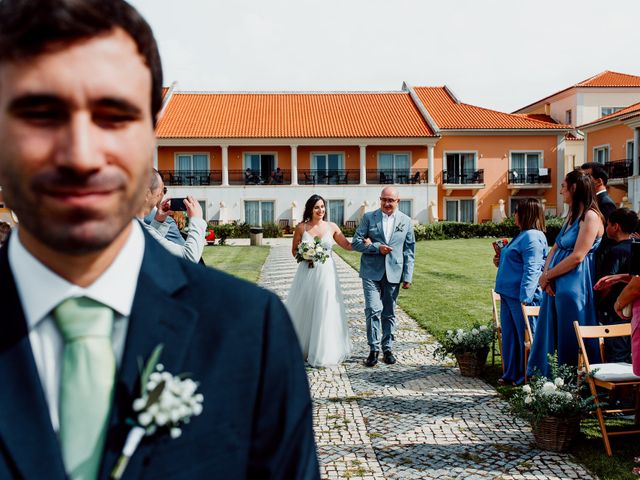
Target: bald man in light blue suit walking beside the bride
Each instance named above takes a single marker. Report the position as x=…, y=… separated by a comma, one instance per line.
x=385, y=262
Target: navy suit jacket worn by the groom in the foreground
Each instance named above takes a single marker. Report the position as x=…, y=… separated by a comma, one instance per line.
x=232, y=337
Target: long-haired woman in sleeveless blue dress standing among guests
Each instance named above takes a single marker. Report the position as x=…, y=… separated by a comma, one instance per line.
x=568, y=279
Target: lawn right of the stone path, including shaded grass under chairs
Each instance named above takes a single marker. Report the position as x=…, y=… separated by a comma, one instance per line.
x=451, y=288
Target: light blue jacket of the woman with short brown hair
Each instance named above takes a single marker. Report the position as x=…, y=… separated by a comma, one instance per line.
x=521, y=264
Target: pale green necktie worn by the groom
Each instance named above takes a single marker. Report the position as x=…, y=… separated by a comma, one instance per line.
x=86, y=384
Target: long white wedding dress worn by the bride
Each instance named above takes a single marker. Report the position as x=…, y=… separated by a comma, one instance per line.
x=317, y=310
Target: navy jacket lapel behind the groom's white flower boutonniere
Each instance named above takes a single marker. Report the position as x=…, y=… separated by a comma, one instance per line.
x=157, y=317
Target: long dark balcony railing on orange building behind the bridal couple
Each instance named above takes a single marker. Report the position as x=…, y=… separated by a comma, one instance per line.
x=283, y=177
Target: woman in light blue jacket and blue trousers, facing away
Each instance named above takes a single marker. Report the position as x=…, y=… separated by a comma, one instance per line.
x=520, y=266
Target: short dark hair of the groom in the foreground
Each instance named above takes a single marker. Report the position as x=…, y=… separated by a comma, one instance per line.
x=29, y=28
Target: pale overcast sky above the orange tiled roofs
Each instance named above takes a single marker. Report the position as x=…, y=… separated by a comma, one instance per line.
x=499, y=54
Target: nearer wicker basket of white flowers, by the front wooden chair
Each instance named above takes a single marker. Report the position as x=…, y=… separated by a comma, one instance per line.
x=553, y=406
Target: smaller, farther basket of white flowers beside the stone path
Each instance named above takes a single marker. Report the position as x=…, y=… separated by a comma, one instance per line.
x=469, y=347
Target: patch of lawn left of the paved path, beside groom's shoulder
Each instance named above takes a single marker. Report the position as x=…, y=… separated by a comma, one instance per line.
x=241, y=261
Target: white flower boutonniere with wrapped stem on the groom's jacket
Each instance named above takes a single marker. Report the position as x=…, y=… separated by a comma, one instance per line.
x=166, y=402
